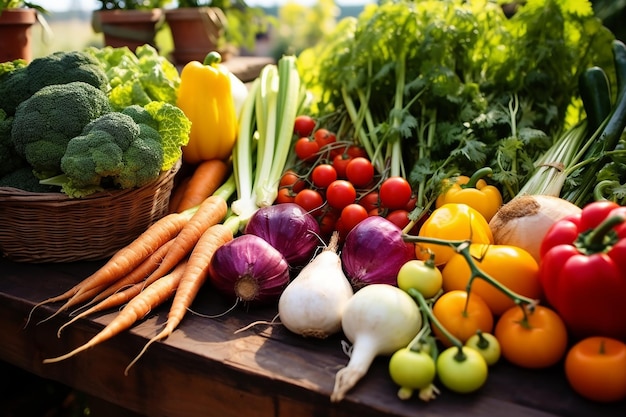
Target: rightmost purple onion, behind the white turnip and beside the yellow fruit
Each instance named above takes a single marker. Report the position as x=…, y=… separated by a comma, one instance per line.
x=374, y=252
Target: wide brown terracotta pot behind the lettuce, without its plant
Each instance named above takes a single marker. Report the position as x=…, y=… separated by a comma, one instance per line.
x=131, y=28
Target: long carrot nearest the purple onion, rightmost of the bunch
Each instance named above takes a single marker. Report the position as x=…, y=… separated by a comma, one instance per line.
x=194, y=276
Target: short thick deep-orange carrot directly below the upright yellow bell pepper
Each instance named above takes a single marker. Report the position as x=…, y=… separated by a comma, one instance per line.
x=204, y=180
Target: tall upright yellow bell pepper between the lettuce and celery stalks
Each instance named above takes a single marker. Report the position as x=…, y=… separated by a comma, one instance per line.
x=205, y=96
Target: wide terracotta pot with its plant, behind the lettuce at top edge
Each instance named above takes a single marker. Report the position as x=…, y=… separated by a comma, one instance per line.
x=130, y=23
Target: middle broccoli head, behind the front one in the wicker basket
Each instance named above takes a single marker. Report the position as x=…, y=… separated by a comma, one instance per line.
x=45, y=122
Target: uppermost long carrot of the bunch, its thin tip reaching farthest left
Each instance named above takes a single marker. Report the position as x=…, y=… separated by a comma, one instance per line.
x=124, y=260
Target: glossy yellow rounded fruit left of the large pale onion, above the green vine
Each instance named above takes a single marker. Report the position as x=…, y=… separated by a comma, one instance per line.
x=452, y=221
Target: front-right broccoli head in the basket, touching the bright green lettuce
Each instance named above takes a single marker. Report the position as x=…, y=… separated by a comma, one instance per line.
x=112, y=151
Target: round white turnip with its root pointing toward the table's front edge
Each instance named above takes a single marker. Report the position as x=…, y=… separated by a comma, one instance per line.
x=378, y=320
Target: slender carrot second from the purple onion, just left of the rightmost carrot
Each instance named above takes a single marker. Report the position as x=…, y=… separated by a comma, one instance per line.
x=138, y=307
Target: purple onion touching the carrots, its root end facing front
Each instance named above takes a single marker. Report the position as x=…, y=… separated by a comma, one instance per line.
x=250, y=269
